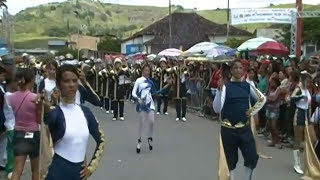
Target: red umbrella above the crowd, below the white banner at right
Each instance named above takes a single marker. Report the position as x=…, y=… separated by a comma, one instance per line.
x=272, y=48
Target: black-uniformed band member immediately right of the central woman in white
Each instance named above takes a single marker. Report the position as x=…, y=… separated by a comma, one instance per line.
x=163, y=78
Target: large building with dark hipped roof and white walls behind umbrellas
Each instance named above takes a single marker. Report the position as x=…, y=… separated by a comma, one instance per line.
x=187, y=29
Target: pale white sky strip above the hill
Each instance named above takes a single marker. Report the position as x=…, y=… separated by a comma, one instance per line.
x=18, y=5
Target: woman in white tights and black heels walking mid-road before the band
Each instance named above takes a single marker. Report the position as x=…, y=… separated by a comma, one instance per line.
x=143, y=91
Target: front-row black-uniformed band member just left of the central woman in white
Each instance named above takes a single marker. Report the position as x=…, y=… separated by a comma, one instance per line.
x=118, y=89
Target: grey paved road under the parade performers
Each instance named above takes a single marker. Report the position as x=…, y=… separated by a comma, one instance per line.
x=182, y=151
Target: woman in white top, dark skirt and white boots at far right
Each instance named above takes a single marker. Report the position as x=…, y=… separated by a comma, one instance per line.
x=301, y=98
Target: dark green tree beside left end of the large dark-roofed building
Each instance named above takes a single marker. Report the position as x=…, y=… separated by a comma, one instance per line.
x=109, y=44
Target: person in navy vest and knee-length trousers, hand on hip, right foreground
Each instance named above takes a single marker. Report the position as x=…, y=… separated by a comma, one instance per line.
x=232, y=101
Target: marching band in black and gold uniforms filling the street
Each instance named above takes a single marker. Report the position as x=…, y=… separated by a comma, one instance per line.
x=112, y=82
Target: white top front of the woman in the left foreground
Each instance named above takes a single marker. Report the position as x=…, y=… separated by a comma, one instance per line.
x=73, y=145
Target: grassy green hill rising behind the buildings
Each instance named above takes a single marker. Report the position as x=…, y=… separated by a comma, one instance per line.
x=56, y=20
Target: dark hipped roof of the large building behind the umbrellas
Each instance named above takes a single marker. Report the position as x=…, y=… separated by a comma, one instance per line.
x=187, y=28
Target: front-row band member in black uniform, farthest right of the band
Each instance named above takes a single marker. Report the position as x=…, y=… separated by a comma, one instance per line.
x=180, y=74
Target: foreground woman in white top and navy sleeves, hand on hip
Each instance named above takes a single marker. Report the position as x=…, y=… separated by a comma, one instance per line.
x=70, y=125
